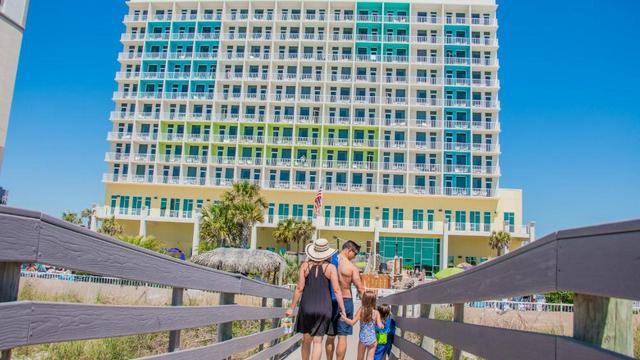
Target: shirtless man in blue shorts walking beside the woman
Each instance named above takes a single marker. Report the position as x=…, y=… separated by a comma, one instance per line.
x=347, y=274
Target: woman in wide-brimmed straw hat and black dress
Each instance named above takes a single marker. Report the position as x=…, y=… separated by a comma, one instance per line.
x=314, y=315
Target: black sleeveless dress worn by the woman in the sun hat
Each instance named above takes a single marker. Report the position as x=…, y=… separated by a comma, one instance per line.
x=314, y=315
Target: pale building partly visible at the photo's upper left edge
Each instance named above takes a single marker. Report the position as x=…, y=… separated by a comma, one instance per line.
x=13, y=16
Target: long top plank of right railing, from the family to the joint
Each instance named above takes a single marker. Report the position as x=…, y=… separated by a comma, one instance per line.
x=528, y=270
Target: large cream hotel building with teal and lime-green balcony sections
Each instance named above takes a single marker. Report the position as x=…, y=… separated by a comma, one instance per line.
x=390, y=107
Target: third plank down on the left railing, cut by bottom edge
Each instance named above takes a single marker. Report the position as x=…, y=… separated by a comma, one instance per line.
x=224, y=349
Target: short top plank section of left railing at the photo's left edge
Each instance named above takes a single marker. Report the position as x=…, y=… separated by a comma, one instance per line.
x=18, y=238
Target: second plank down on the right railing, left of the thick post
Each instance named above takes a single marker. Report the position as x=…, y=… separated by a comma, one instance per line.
x=477, y=339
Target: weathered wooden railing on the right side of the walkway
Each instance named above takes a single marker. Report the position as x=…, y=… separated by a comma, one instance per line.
x=601, y=264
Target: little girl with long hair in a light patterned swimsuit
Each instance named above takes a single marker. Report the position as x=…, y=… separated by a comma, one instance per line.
x=369, y=319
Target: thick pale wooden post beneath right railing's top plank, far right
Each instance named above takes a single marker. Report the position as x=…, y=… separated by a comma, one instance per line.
x=604, y=322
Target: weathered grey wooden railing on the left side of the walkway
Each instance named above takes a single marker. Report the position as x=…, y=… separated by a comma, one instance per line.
x=29, y=237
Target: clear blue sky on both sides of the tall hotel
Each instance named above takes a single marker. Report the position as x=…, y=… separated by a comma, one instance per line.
x=569, y=94
